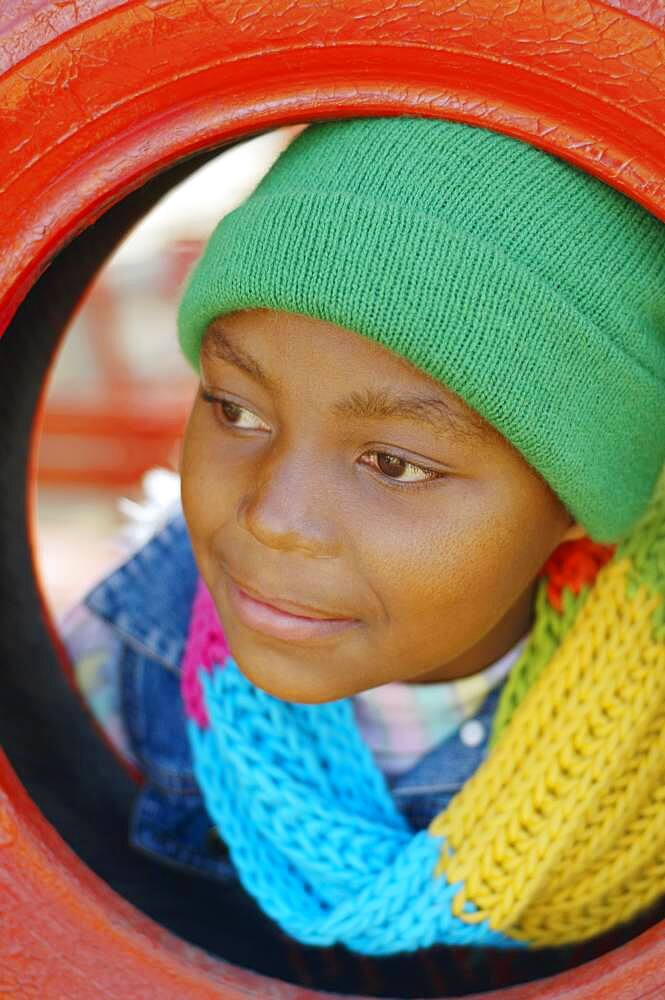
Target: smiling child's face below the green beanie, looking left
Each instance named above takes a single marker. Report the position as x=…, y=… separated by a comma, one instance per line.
x=327, y=475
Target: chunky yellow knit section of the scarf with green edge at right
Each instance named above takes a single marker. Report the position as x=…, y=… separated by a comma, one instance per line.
x=560, y=834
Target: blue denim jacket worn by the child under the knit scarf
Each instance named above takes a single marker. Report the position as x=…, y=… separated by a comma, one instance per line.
x=147, y=603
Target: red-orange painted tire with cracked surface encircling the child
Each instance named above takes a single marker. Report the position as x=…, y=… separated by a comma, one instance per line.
x=103, y=105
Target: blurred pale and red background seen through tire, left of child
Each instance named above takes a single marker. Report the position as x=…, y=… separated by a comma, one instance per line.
x=119, y=391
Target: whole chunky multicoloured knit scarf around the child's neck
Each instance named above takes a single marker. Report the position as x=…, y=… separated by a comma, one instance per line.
x=557, y=837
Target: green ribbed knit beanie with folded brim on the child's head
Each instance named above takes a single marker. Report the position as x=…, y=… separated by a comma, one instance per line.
x=530, y=288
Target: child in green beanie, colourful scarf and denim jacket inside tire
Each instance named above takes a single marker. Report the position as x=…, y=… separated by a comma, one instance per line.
x=416, y=606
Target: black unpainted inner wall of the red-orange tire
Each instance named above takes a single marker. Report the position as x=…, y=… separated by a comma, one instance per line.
x=72, y=777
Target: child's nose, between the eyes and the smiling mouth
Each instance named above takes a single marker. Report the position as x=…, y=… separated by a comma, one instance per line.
x=289, y=505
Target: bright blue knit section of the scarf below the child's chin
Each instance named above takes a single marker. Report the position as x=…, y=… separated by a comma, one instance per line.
x=312, y=828
